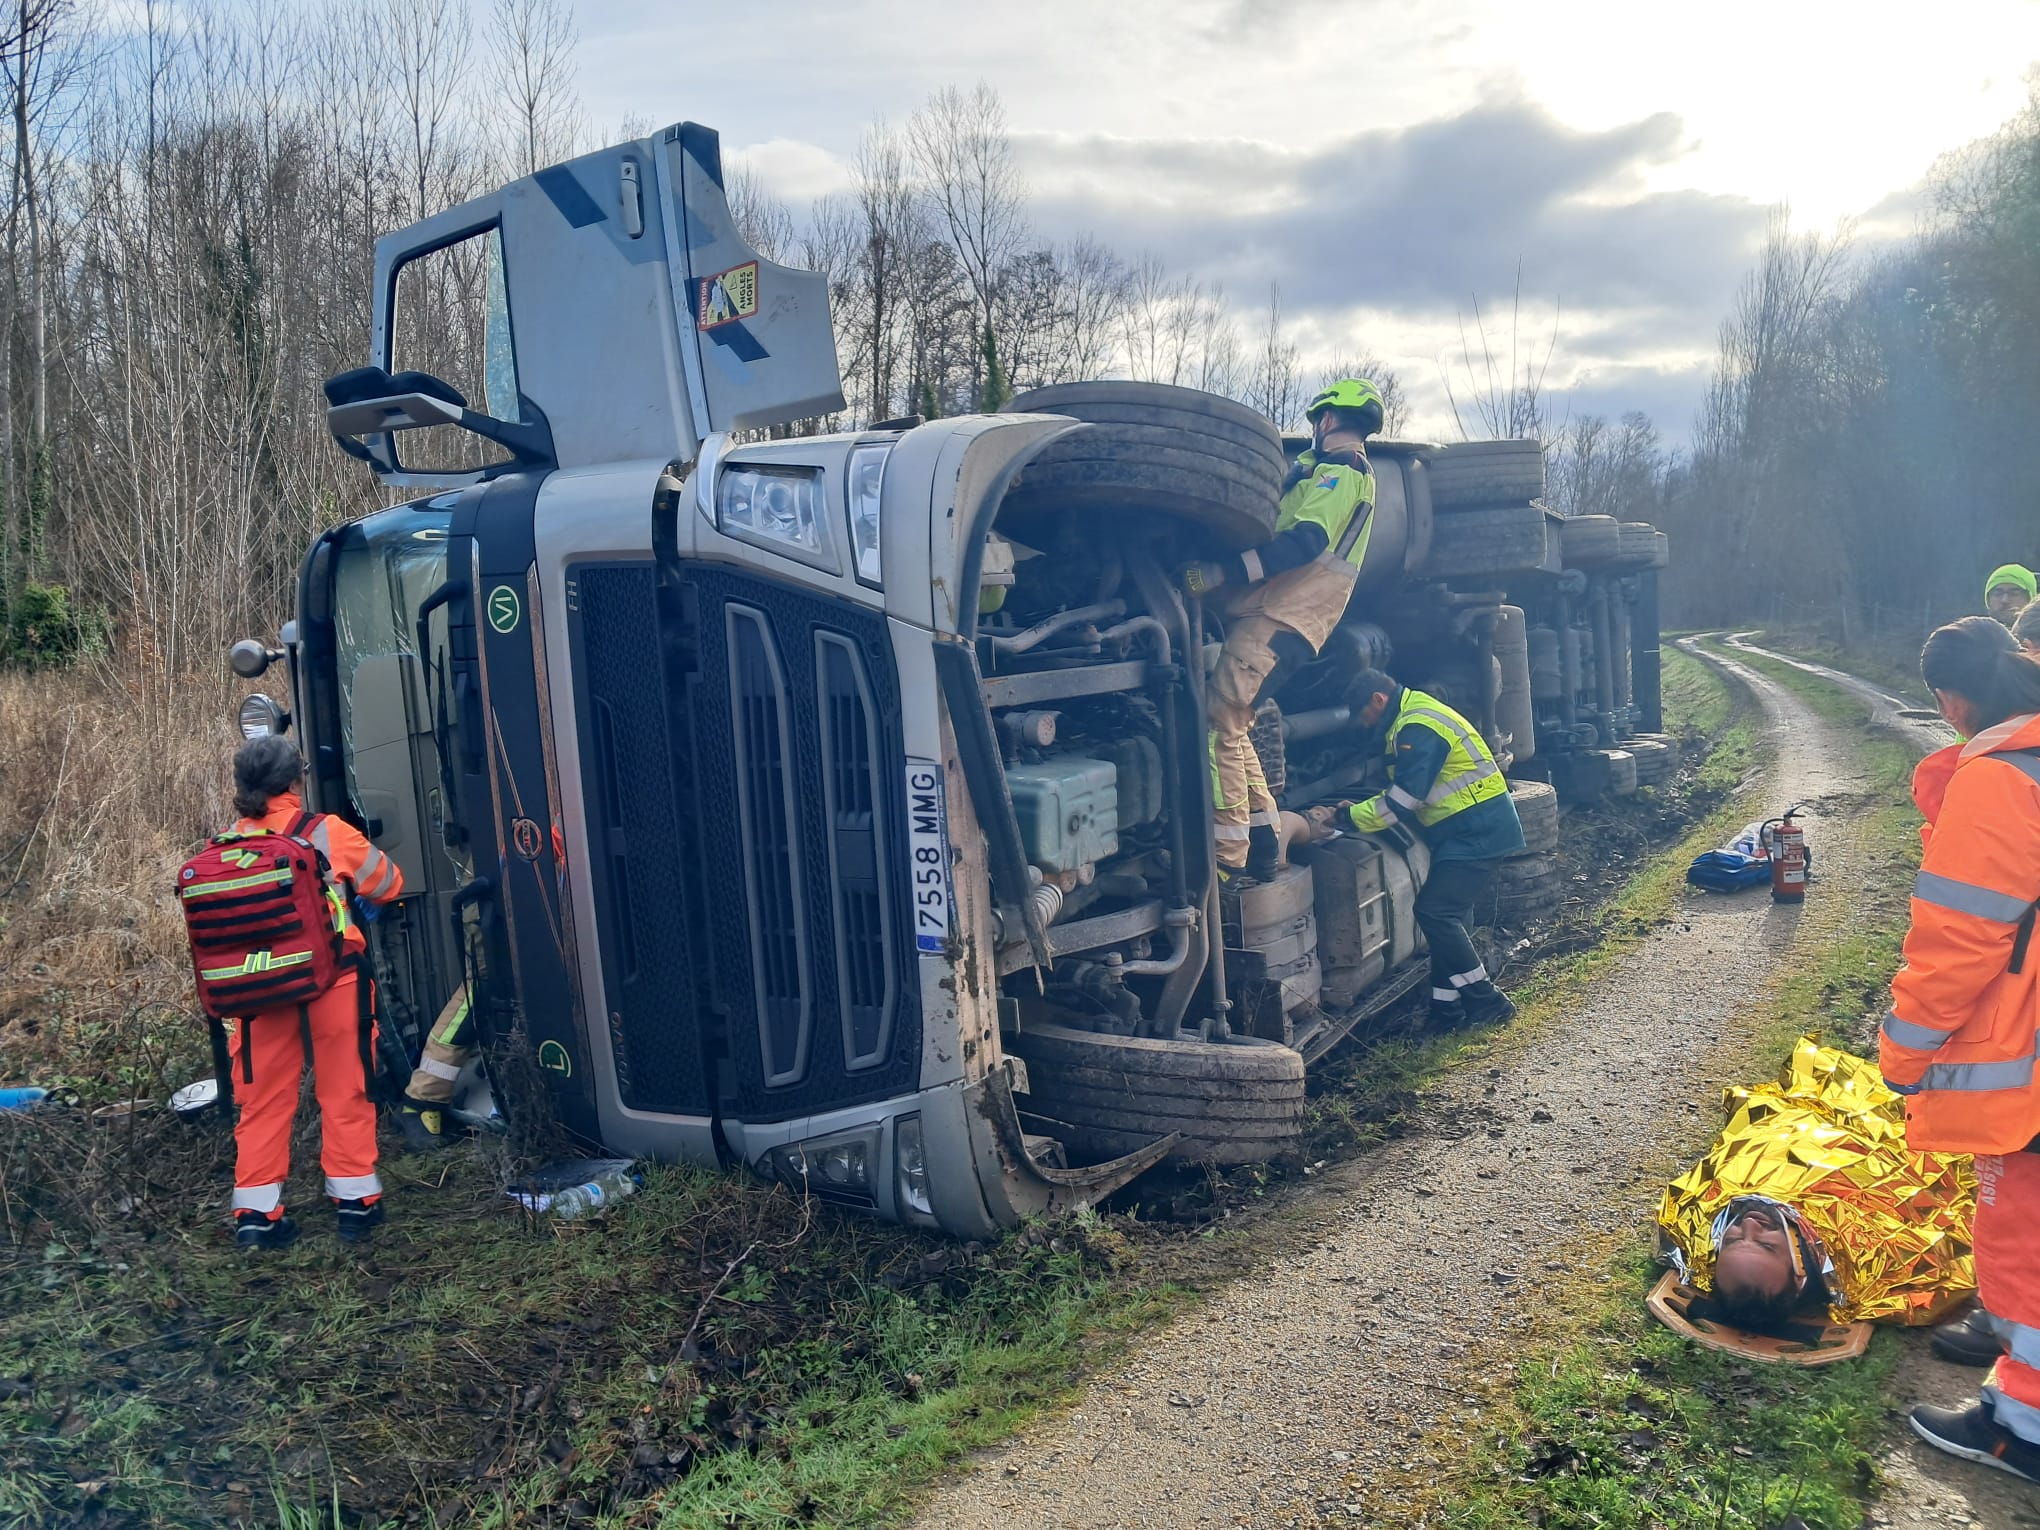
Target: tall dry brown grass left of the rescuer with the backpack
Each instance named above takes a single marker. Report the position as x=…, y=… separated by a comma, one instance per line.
x=97, y=811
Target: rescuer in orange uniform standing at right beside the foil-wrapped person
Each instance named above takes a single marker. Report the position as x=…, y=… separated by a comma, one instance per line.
x=1966, y=1017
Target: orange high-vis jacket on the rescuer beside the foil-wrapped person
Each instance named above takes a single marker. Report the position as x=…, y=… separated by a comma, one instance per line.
x=1966, y=1007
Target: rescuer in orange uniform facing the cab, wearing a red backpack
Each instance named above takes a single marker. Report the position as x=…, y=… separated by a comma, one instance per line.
x=340, y=1029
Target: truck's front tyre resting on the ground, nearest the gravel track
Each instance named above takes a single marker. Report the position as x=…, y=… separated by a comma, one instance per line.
x=1233, y=1103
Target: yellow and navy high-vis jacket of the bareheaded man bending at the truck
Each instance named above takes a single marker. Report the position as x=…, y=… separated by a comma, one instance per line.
x=1443, y=782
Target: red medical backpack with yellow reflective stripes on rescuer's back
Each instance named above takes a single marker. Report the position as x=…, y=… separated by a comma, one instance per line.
x=262, y=925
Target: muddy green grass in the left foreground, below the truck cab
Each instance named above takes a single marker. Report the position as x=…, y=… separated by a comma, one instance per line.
x=717, y=1354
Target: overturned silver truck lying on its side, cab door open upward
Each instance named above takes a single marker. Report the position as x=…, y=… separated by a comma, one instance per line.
x=839, y=805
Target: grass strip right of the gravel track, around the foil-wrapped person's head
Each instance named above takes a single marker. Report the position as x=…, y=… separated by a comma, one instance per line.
x=1615, y=1423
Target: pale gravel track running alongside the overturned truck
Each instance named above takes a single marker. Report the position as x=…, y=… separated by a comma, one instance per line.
x=1311, y=1392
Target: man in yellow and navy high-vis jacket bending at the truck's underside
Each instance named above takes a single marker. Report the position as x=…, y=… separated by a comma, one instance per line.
x=1447, y=790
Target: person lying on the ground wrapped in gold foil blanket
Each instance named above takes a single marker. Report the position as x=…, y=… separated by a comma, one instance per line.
x=1810, y=1209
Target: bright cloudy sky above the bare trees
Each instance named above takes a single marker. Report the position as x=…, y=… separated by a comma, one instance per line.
x=1386, y=164
